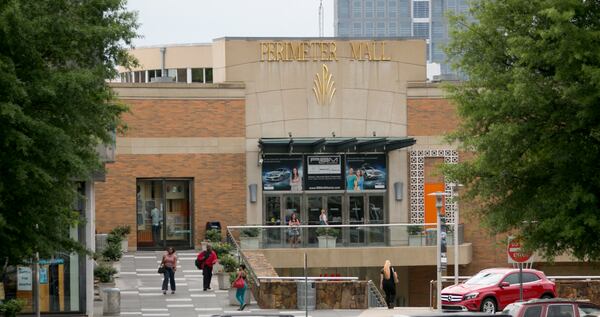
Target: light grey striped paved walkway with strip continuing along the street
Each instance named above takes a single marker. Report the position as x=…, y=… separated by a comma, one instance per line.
x=141, y=293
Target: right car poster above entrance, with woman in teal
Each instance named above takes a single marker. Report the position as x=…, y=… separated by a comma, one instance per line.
x=365, y=172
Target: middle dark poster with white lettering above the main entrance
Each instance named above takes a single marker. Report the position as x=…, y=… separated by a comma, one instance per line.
x=324, y=172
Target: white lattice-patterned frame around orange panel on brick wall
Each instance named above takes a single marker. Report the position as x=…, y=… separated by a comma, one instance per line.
x=417, y=183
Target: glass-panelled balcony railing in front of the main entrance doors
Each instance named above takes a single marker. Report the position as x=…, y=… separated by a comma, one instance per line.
x=341, y=235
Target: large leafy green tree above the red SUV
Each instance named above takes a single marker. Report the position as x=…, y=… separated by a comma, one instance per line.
x=530, y=111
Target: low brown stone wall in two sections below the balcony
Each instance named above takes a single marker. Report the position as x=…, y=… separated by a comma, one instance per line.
x=329, y=295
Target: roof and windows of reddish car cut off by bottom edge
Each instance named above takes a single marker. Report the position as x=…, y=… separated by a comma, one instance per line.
x=555, y=307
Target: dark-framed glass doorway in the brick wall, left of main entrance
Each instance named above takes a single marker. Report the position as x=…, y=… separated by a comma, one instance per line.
x=164, y=213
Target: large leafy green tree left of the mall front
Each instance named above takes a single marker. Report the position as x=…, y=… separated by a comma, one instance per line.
x=55, y=107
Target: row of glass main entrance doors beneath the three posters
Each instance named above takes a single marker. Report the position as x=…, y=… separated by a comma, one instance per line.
x=342, y=208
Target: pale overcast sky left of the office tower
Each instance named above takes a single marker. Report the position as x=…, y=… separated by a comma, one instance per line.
x=201, y=21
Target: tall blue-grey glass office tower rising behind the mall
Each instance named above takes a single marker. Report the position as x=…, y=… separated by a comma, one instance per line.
x=401, y=18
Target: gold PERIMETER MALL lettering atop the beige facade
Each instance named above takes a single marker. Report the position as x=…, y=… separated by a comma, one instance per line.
x=320, y=51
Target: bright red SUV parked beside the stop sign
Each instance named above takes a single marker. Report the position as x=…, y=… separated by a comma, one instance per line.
x=492, y=289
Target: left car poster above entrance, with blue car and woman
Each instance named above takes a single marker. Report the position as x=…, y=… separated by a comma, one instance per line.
x=283, y=172
